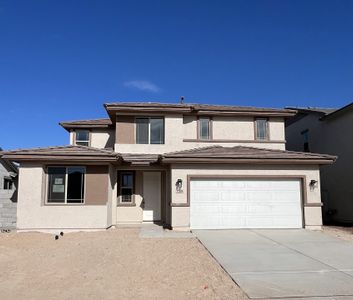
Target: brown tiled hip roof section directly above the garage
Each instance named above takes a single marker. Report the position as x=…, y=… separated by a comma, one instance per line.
x=241, y=154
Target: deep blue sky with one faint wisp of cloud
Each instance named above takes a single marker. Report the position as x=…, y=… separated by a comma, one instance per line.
x=61, y=60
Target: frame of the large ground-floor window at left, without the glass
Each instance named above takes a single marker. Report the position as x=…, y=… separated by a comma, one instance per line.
x=66, y=185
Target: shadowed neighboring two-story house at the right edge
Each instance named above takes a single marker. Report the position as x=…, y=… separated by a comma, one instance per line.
x=327, y=130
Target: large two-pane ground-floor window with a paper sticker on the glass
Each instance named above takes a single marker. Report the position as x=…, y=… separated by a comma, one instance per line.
x=66, y=184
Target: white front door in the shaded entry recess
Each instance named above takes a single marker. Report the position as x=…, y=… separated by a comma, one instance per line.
x=152, y=196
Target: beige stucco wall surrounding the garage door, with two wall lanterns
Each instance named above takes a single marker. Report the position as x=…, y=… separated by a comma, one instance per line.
x=180, y=216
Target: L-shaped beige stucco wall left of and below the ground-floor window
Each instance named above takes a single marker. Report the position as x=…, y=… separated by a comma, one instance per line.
x=33, y=214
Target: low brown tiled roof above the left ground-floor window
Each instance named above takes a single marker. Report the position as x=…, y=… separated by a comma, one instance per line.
x=62, y=153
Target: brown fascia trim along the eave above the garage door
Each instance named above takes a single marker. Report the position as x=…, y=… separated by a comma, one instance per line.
x=213, y=160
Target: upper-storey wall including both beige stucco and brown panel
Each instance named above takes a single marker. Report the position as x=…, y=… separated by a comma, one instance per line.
x=181, y=132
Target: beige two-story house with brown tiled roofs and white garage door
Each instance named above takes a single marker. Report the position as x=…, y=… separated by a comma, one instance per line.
x=188, y=166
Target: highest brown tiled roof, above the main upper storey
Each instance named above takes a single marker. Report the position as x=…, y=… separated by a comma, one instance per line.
x=122, y=107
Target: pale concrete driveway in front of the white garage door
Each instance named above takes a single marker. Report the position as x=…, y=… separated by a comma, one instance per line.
x=284, y=264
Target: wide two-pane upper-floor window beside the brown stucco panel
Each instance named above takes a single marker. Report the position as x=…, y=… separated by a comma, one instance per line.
x=150, y=130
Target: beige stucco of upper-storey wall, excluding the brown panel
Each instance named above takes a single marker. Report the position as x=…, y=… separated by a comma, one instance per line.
x=178, y=128
